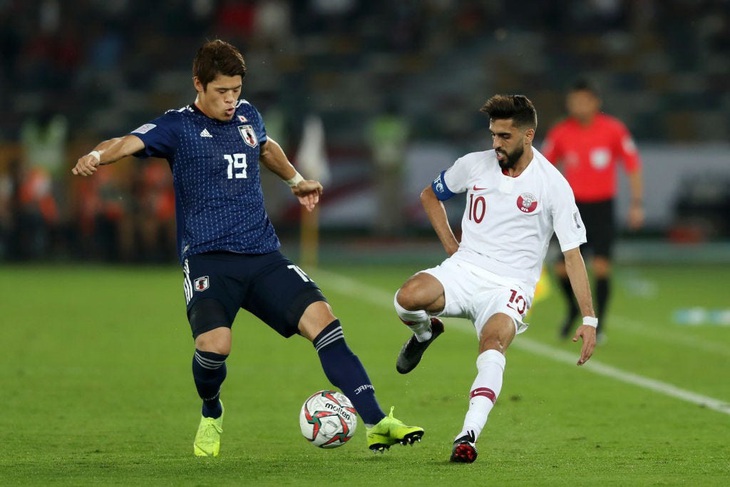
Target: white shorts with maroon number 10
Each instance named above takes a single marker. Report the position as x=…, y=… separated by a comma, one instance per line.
x=476, y=294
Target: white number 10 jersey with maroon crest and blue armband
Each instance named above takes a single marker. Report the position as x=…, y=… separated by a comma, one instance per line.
x=508, y=221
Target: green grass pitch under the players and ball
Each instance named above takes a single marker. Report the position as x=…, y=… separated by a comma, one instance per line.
x=96, y=389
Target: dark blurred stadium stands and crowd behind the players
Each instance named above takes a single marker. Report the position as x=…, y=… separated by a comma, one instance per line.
x=344, y=72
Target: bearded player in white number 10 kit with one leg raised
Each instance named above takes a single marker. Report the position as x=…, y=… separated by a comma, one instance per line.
x=515, y=200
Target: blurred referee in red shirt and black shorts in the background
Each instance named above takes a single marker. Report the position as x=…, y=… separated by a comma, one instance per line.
x=589, y=146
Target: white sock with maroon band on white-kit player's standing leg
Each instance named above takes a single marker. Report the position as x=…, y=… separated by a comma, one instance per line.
x=484, y=391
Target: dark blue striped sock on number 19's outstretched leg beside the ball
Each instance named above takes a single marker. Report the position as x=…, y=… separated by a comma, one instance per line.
x=345, y=371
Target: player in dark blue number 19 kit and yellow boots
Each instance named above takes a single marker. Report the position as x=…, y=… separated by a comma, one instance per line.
x=227, y=245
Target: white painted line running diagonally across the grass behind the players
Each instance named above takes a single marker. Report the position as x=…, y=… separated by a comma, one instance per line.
x=378, y=297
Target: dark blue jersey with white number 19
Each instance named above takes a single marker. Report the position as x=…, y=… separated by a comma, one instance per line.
x=215, y=168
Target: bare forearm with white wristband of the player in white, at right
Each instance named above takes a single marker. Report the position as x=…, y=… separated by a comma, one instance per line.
x=576, y=268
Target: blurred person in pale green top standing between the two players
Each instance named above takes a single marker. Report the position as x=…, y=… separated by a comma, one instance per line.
x=388, y=140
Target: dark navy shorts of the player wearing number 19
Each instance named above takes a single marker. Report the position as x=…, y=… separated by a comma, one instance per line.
x=269, y=286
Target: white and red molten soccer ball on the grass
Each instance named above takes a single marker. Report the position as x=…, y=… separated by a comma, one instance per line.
x=328, y=419
